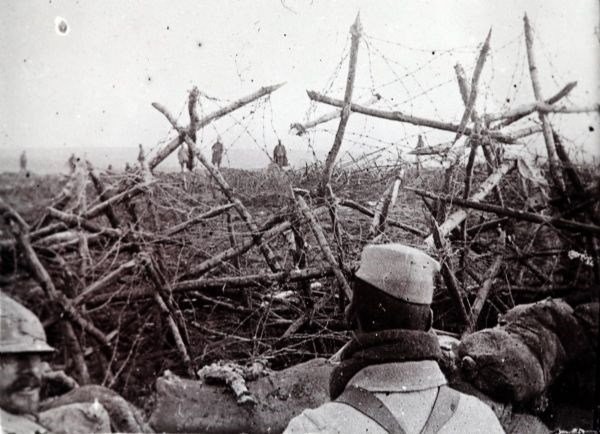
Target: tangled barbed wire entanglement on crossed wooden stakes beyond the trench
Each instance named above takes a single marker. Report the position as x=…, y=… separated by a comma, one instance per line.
x=453, y=153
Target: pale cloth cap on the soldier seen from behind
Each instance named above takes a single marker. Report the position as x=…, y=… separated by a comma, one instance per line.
x=401, y=271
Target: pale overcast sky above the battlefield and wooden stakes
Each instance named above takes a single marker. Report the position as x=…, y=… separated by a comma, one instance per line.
x=93, y=85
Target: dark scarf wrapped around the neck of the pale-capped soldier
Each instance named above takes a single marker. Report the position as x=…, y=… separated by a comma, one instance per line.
x=387, y=346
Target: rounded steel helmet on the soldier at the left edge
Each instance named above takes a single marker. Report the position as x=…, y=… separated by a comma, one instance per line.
x=20, y=330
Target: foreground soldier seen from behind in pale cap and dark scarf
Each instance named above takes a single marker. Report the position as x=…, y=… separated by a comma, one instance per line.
x=389, y=379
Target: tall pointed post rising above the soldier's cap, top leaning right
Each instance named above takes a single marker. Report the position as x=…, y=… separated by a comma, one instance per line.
x=355, y=31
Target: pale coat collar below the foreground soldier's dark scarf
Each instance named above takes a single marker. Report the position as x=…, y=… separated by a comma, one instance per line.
x=400, y=377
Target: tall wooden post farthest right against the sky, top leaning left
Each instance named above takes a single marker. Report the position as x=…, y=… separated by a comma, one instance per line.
x=537, y=91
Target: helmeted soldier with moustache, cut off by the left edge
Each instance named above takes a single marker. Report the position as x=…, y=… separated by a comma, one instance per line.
x=22, y=345
